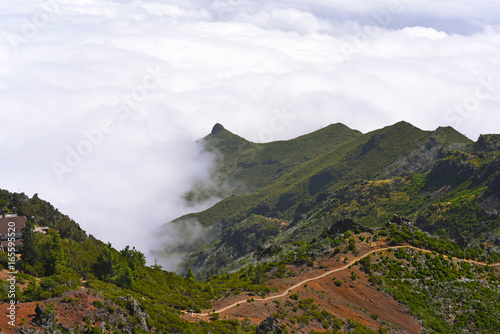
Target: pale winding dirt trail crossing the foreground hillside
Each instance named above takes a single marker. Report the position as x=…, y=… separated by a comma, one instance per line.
x=287, y=291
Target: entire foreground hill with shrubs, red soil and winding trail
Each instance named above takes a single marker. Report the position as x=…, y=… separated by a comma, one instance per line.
x=350, y=279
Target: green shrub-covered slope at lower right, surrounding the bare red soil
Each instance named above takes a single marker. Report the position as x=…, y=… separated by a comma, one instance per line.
x=449, y=288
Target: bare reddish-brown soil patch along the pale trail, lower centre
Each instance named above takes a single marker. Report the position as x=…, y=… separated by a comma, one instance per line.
x=355, y=299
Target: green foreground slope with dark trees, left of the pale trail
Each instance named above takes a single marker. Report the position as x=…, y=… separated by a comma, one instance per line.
x=128, y=296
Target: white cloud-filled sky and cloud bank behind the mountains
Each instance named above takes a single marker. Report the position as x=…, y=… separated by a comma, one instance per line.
x=101, y=101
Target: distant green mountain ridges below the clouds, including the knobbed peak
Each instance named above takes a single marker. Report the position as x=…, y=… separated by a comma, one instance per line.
x=322, y=161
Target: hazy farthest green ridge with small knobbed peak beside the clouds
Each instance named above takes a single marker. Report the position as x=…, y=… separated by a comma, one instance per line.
x=243, y=167
